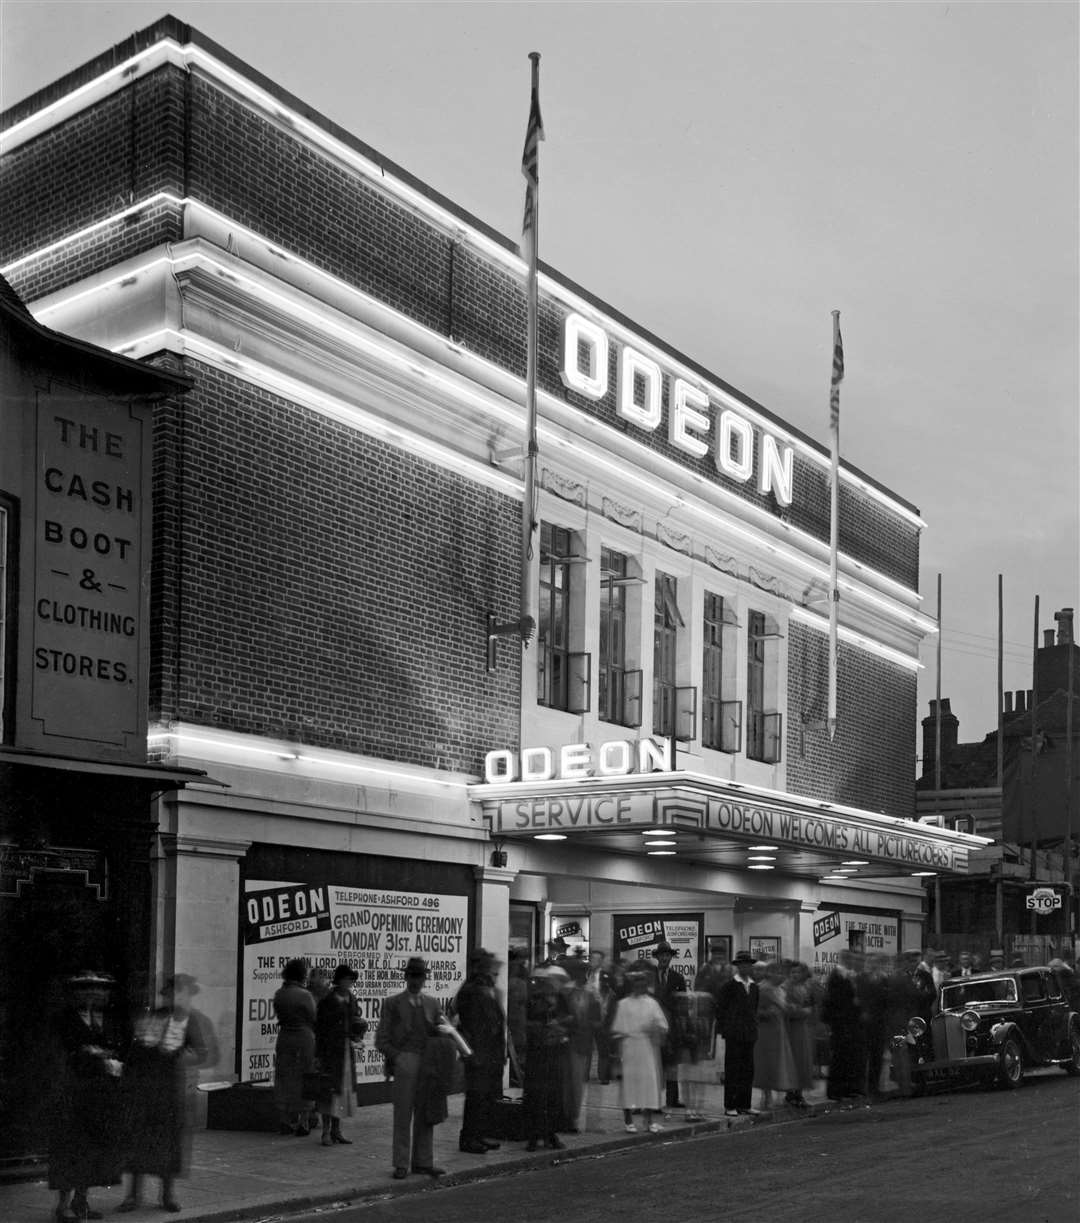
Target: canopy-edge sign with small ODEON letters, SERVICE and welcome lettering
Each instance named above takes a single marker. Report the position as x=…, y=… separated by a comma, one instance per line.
x=683, y=805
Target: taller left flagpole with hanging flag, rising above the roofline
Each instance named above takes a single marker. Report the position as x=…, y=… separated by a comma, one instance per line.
x=530, y=583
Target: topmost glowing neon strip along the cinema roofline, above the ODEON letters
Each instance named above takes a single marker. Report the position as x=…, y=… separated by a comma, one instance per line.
x=191, y=57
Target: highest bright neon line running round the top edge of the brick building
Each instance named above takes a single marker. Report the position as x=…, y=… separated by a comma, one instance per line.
x=191, y=56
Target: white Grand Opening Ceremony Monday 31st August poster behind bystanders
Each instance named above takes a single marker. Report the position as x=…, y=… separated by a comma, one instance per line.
x=374, y=930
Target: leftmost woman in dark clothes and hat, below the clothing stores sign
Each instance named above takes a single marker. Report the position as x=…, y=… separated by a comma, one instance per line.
x=84, y=1142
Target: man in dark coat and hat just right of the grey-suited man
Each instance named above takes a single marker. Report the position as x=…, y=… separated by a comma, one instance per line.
x=483, y=1023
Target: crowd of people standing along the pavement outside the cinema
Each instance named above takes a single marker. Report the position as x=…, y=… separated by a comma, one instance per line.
x=122, y=1105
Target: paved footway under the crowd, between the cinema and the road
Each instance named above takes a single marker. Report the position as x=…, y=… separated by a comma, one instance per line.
x=238, y=1175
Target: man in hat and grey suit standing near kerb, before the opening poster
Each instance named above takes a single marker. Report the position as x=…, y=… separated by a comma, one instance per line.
x=407, y=1023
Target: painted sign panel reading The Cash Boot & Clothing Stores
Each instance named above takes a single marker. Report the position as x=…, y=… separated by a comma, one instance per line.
x=91, y=555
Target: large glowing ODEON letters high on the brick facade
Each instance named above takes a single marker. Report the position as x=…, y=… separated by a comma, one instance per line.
x=695, y=424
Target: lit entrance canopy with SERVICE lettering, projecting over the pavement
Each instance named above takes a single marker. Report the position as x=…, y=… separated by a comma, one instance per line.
x=722, y=824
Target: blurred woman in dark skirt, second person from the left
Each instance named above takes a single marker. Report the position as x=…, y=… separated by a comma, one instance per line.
x=169, y=1044
